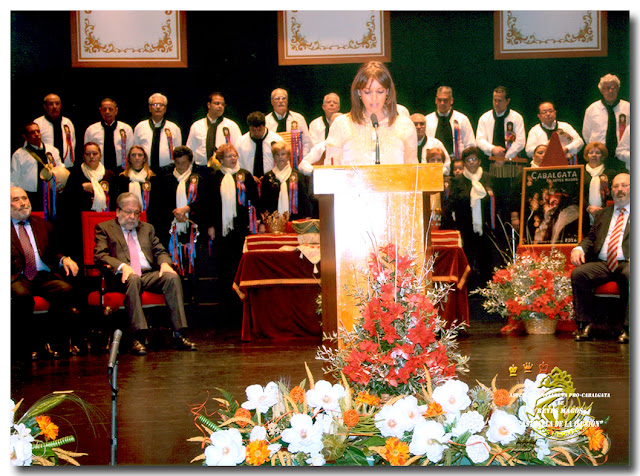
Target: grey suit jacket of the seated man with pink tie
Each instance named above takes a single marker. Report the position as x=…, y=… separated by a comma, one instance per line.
x=111, y=245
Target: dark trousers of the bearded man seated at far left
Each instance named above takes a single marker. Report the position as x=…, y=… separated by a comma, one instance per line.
x=51, y=329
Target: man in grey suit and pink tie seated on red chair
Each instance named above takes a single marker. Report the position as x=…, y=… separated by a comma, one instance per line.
x=148, y=268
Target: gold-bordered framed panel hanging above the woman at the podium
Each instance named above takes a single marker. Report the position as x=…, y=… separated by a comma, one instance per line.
x=324, y=37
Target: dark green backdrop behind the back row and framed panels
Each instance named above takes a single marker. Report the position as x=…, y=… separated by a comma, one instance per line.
x=236, y=53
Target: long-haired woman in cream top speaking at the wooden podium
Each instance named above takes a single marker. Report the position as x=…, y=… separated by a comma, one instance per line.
x=373, y=131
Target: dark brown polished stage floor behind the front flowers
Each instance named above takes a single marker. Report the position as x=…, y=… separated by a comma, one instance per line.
x=157, y=391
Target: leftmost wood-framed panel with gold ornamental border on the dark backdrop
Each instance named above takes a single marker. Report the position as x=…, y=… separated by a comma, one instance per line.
x=128, y=39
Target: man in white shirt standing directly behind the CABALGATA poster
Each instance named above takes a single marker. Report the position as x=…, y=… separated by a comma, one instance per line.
x=541, y=133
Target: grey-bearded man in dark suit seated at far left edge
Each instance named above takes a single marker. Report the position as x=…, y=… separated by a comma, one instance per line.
x=35, y=265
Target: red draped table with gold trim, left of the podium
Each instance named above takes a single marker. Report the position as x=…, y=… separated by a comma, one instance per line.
x=278, y=290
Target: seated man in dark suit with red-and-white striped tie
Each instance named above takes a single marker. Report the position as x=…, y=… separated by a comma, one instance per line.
x=602, y=256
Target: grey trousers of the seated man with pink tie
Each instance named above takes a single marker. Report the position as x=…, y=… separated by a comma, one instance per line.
x=169, y=285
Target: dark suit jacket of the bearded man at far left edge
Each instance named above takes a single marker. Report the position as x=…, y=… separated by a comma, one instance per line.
x=45, y=242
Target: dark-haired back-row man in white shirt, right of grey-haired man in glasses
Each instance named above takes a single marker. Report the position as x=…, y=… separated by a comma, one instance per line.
x=210, y=132
